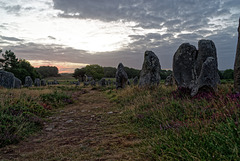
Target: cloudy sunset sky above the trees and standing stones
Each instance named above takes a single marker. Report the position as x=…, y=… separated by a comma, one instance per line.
x=71, y=34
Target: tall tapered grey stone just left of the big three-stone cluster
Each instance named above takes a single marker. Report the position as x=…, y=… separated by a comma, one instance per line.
x=150, y=73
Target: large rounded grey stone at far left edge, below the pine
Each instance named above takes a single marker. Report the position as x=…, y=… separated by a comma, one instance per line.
x=7, y=79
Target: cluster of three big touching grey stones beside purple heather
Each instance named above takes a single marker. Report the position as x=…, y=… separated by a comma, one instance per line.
x=195, y=69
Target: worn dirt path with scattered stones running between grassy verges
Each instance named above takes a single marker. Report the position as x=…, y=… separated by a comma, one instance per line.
x=87, y=130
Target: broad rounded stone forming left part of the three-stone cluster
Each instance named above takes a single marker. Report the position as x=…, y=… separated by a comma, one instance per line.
x=183, y=65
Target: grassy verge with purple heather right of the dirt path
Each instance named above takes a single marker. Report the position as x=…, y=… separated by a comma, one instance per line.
x=175, y=126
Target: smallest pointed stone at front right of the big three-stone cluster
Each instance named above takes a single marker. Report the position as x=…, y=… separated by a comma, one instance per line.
x=208, y=77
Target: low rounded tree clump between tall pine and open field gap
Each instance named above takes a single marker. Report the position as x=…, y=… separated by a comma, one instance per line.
x=48, y=71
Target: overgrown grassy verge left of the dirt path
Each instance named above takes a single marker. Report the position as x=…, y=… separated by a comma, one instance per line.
x=22, y=111
